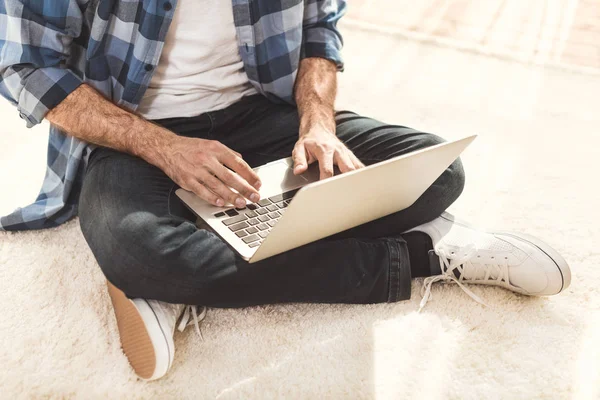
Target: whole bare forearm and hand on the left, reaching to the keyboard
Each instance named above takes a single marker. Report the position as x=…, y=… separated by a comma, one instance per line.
x=197, y=165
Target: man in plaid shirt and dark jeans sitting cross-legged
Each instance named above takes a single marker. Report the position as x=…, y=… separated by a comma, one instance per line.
x=147, y=96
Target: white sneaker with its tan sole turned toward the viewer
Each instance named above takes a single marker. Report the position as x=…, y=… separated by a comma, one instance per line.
x=146, y=328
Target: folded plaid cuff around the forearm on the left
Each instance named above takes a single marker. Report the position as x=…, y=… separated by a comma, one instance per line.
x=44, y=89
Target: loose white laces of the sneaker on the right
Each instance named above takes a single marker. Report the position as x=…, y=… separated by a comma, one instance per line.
x=451, y=262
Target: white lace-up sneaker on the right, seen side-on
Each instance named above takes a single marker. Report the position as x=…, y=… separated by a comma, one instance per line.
x=516, y=262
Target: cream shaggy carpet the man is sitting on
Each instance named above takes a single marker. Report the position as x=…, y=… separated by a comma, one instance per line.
x=533, y=169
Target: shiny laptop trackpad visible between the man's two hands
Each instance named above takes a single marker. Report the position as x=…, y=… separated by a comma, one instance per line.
x=278, y=177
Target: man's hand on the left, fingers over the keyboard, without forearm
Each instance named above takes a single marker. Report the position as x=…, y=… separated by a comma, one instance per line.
x=200, y=166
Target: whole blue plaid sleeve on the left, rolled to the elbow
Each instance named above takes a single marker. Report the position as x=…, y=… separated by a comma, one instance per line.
x=35, y=39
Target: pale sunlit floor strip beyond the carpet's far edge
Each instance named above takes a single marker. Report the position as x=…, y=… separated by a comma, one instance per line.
x=559, y=32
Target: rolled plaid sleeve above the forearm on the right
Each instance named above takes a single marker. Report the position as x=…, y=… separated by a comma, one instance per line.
x=320, y=36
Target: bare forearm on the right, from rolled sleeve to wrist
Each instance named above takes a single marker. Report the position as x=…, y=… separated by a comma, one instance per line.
x=315, y=92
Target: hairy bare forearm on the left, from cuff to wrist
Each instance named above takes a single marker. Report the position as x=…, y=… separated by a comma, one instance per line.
x=87, y=115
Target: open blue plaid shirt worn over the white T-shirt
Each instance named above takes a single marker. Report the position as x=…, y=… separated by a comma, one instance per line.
x=48, y=48
